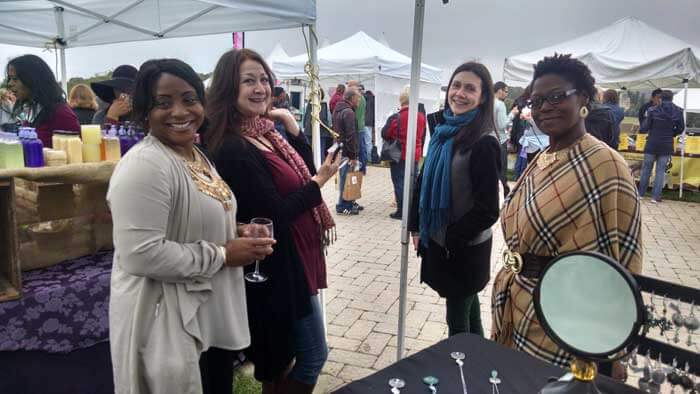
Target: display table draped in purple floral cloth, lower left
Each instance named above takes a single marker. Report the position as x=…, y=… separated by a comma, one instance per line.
x=55, y=338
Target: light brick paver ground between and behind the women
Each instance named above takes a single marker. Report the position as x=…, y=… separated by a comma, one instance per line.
x=363, y=279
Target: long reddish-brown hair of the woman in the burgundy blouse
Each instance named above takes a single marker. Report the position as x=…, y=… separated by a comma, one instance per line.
x=224, y=118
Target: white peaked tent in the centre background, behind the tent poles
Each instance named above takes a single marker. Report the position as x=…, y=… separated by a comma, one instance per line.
x=379, y=68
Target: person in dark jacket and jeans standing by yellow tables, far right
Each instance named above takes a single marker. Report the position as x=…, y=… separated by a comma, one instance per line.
x=663, y=123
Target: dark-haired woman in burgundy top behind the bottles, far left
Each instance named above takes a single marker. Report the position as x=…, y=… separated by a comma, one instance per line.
x=40, y=101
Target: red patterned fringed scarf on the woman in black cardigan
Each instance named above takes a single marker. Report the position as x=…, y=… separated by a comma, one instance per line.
x=261, y=127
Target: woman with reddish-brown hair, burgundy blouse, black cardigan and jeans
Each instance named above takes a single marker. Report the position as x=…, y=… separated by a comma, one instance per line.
x=274, y=178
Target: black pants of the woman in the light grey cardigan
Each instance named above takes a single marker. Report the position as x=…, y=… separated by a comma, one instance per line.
x=216, y=369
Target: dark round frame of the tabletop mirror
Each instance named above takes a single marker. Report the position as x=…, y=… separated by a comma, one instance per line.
x=636, y=293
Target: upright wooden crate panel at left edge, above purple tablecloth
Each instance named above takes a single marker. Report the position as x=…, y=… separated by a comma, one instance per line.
x=10, y=272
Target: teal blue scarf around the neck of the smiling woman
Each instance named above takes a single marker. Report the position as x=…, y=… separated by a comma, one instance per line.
x=436, y=188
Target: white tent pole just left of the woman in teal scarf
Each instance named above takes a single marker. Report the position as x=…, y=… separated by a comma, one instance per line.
x=416, y=54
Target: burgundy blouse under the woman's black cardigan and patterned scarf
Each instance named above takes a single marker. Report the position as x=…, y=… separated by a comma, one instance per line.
x=305, y=230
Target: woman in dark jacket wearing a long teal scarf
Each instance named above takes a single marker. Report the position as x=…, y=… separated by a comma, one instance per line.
x=456, y=198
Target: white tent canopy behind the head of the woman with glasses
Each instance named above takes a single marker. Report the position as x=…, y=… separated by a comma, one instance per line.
x=628, y=53
